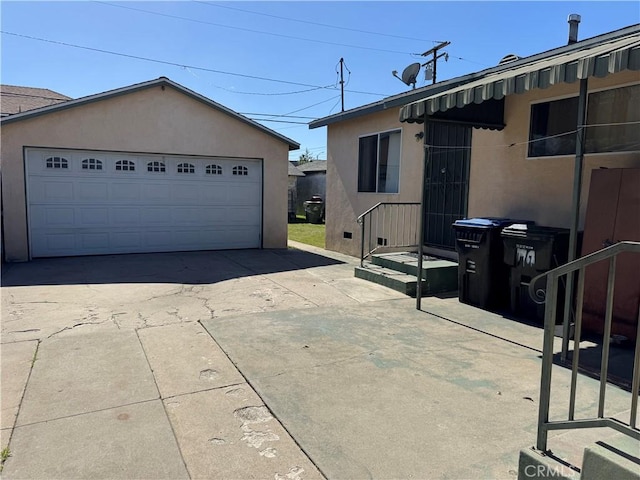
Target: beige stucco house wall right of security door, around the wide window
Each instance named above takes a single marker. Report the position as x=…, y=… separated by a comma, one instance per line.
x=505, y=183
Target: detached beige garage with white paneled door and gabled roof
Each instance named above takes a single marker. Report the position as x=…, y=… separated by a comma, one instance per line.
x=153, y=167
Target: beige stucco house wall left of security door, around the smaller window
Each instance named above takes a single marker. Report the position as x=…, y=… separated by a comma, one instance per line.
x=343, y=202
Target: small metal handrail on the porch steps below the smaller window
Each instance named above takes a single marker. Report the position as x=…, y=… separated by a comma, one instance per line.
x=405, y=234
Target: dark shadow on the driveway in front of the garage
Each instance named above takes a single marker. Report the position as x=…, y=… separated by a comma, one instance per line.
x=190, y=268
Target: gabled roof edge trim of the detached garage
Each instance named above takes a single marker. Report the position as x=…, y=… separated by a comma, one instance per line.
x=162, y=81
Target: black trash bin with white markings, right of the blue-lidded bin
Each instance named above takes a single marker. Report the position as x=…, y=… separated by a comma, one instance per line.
x=530, y=250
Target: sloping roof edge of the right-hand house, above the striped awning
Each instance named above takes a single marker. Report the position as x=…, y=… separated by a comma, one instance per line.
x=630, y=52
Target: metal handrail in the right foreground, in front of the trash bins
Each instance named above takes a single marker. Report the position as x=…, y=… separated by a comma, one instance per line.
x=550, y=299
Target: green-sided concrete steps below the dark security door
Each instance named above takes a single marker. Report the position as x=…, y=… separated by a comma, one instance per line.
x=439, y=276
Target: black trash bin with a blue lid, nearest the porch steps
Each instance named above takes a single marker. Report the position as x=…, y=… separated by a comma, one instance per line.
x=483, y=278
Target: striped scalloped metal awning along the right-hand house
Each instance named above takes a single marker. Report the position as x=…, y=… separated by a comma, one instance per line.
x=597, y=61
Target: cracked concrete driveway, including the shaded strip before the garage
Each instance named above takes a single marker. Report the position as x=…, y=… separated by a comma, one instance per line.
x=258, y=364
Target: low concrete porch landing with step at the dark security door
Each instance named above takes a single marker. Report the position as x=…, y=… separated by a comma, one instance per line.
x=398, y=271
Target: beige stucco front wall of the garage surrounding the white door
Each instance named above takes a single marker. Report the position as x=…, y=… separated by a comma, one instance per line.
x=154, y=120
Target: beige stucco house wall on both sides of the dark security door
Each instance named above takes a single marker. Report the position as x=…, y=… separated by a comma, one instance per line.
x=503, y=181
